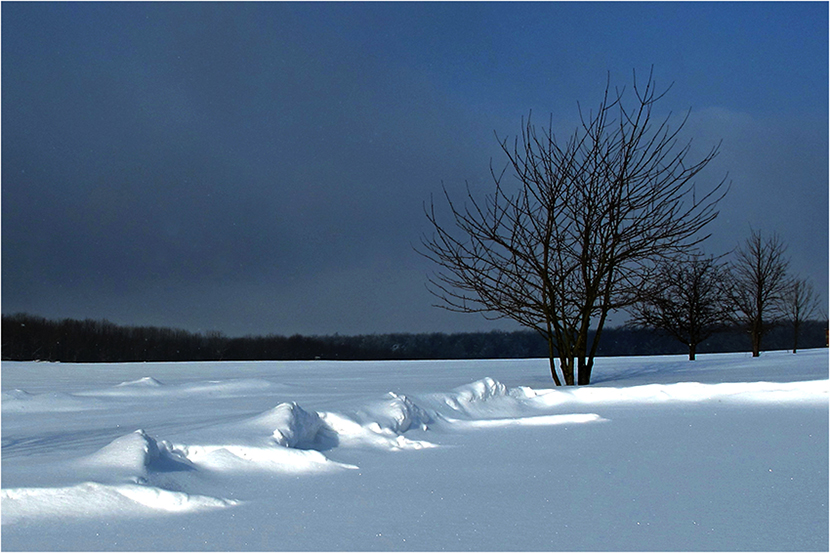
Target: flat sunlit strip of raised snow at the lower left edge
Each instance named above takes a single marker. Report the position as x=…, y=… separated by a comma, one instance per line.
x=94, y=500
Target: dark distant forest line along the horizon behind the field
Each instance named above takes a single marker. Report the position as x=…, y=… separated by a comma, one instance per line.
x=31, y=338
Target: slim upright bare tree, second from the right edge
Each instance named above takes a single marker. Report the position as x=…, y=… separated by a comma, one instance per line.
x=759, y=273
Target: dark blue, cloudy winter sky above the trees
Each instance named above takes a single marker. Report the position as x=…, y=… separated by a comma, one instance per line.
x=262, y=168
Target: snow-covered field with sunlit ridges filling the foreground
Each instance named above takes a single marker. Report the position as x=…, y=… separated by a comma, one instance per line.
x=724, y=453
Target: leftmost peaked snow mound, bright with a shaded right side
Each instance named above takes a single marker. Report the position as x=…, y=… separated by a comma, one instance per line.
x=136, y=454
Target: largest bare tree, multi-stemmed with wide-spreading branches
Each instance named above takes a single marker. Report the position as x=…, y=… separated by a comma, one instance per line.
x=572, y=241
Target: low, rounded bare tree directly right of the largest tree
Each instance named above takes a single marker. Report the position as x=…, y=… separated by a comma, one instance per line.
x=687, y=298
